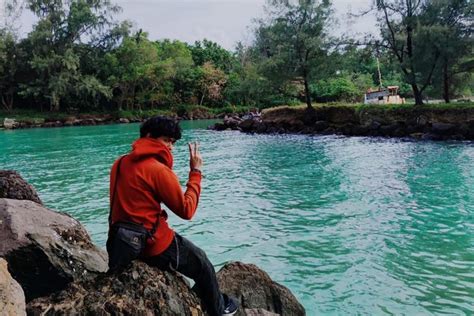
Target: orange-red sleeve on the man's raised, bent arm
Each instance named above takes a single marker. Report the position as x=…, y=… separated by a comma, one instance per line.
x=169, y=191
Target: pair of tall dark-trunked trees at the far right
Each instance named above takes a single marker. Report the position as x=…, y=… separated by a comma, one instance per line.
x=427, y=39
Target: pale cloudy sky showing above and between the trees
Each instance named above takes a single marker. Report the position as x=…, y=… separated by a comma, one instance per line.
x=223, y=21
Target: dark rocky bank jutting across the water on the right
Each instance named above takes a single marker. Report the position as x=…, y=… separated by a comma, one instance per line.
x=417, y=123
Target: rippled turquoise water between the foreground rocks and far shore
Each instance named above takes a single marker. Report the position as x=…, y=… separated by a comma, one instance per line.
x=350, y=225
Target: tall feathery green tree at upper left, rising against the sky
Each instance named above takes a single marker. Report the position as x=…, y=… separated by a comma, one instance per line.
x=54, y=46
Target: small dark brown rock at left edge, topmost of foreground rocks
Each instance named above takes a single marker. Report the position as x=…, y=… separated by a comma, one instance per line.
x=12, y=186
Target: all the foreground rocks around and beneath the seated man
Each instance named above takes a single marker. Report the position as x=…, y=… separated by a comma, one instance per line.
x=49, y=266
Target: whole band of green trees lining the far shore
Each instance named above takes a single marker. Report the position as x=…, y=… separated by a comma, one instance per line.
x=78, y=58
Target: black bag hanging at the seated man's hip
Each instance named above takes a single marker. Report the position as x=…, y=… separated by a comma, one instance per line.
x=126, y=242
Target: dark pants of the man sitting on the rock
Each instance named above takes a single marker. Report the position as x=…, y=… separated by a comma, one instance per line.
x=186, y=258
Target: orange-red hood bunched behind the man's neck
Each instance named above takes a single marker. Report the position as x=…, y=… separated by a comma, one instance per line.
x=147, y=147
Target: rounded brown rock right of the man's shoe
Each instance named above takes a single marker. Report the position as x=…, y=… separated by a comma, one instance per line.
x=255, y=289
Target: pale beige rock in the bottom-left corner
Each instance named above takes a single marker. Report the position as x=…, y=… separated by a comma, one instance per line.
x=12, y=298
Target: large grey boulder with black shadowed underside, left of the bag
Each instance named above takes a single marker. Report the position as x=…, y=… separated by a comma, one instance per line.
x=46, y=250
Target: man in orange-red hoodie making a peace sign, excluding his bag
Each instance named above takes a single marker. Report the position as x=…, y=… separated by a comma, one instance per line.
x=144, y=181
